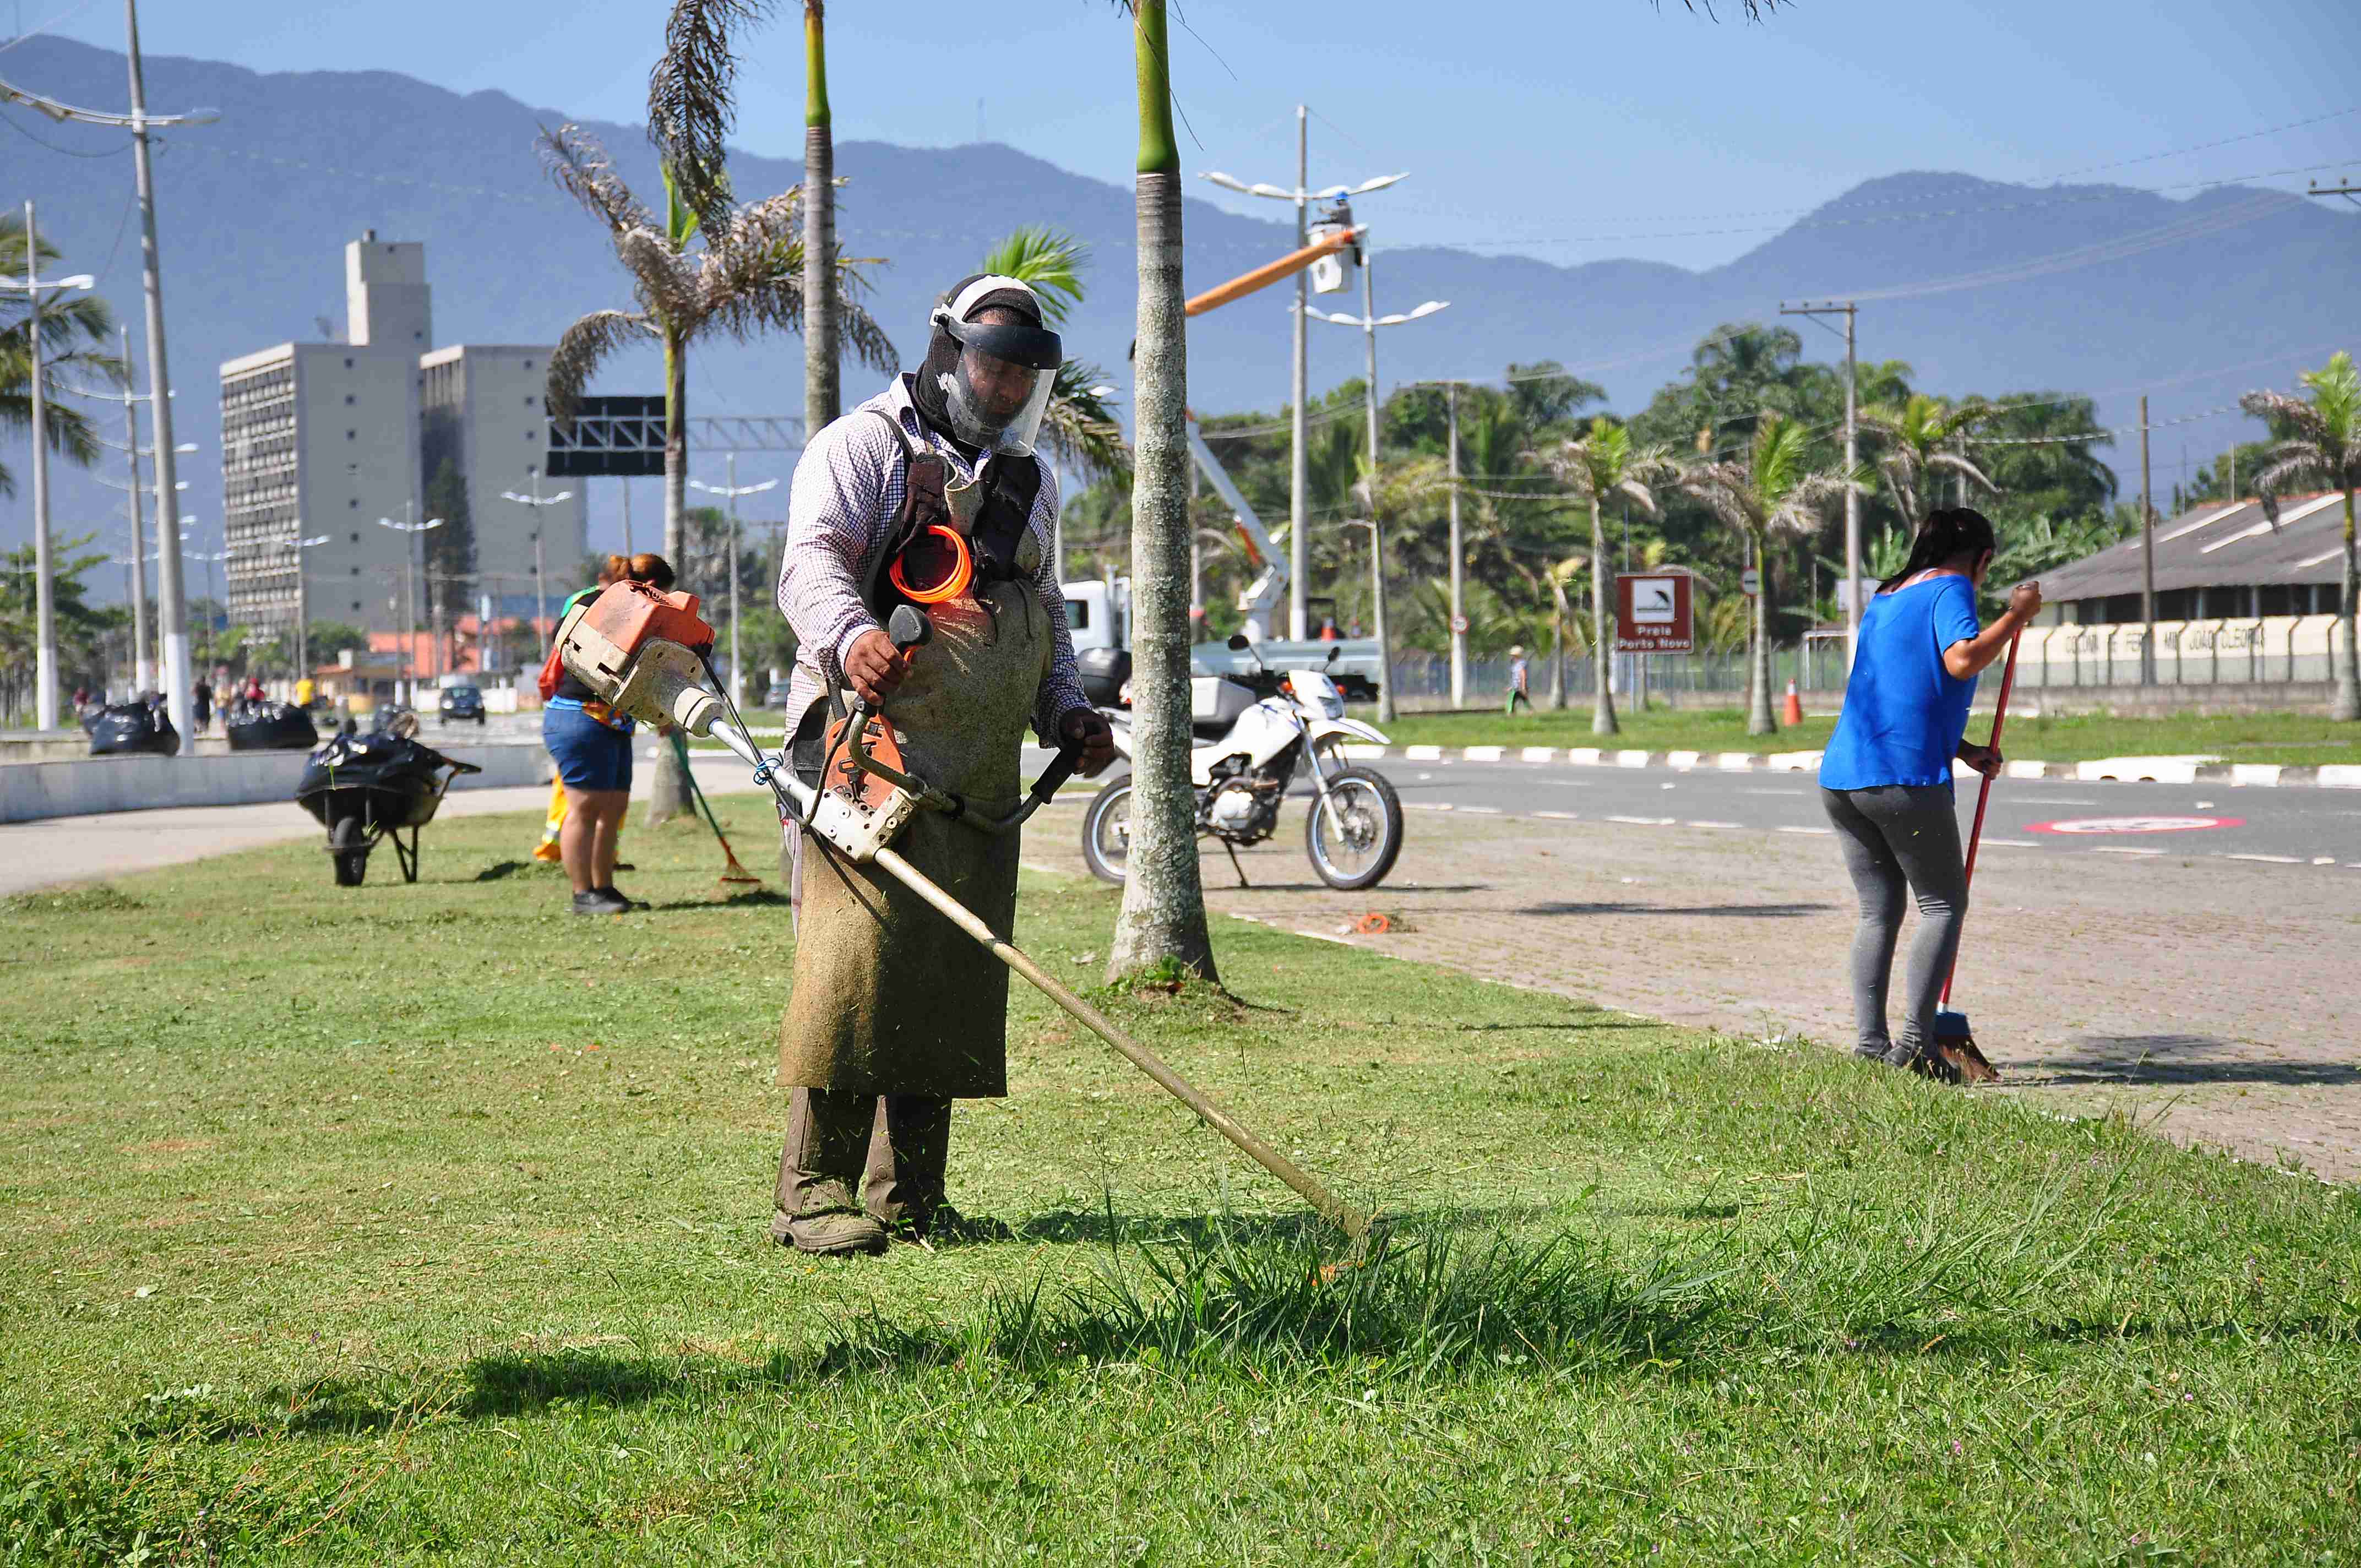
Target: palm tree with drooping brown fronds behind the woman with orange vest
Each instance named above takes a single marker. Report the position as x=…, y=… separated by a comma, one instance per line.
x=745, y=280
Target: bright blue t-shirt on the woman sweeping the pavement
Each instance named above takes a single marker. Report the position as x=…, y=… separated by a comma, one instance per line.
x=1904, y=714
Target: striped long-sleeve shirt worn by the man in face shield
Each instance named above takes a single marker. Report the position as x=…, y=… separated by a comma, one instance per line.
x=839, y=514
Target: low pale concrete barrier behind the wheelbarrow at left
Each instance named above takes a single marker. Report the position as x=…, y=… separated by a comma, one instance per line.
x=244, y=778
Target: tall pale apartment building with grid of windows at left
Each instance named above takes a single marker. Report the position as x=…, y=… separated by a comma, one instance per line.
x=327, y=438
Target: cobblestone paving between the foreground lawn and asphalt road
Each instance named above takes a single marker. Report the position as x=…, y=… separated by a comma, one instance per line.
x=2190, y=993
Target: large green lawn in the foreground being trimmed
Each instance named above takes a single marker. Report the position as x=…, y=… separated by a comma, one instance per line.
x=426, y=1222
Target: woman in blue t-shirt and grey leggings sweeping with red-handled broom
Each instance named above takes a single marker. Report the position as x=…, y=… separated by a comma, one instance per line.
x=1885, y=776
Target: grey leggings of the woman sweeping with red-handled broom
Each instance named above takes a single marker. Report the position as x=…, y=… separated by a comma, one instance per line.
x=1902, y=839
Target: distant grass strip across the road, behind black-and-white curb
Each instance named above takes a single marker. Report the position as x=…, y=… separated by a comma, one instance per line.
x=2244, y=738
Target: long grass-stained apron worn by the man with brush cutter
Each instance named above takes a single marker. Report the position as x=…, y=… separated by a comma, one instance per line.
x=889, y=998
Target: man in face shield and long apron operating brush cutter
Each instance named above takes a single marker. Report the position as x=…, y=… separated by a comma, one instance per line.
x=929, y=495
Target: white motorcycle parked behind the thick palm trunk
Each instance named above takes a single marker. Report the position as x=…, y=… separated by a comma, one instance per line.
x=1248, y=754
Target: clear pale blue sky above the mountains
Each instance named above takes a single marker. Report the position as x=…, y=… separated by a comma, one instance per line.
x=1692, y=141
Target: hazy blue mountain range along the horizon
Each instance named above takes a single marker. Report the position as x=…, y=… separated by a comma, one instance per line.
x=1982, y=287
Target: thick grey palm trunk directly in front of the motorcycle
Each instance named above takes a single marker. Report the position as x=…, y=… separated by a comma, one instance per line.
x=1163, y=917
